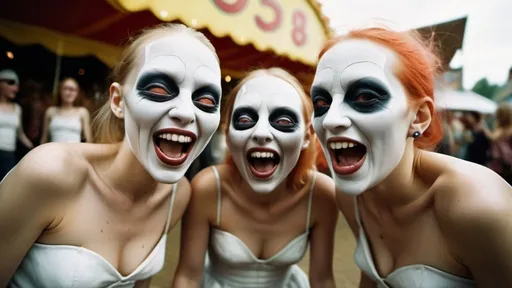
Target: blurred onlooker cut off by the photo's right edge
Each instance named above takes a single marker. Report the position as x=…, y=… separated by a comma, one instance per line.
x=501, y=147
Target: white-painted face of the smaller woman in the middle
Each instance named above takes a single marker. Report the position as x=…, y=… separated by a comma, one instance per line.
x=267, y=132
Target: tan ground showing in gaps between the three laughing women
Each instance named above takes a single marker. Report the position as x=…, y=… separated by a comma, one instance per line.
x=345, y=271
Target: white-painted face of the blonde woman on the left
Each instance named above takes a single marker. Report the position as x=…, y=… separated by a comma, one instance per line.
x=172, y=109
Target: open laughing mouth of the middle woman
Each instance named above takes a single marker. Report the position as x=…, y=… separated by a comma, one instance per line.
x=263, y=162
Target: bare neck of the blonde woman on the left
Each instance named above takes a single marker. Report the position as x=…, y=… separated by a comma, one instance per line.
x=127, y=176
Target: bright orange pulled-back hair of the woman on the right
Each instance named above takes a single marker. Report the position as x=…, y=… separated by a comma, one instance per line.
x=417, y=70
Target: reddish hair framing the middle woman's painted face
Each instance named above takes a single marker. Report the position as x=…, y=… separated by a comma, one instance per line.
x=298, y=176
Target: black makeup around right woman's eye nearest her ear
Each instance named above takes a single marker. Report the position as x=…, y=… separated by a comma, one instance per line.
x=367, y=95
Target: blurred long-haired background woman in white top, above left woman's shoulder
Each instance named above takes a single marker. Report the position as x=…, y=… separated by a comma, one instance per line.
x=66, y=122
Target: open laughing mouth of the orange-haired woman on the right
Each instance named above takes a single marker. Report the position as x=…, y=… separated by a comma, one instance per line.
x=347, y=155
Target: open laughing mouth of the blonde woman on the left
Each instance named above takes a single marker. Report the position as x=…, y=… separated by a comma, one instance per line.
x=173, y=145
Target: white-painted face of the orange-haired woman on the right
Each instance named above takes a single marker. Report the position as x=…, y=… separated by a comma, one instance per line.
x=361, y=115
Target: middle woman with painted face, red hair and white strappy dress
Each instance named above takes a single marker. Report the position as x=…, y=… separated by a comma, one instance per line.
x=257, y=213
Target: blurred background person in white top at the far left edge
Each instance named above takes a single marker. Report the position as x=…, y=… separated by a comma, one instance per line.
x=11, y=127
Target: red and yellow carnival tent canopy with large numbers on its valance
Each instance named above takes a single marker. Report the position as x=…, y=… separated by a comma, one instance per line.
x=246, y=34
